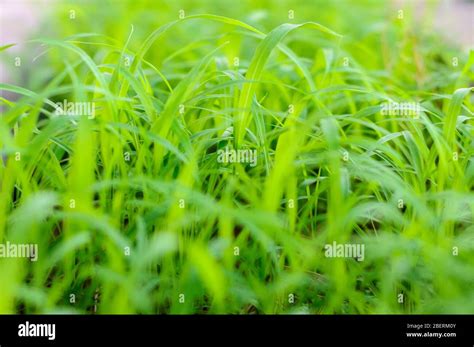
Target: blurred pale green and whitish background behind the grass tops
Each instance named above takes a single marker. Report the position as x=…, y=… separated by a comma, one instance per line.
x=24, y=19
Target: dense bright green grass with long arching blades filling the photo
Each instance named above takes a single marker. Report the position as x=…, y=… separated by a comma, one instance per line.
x=351, y=123
